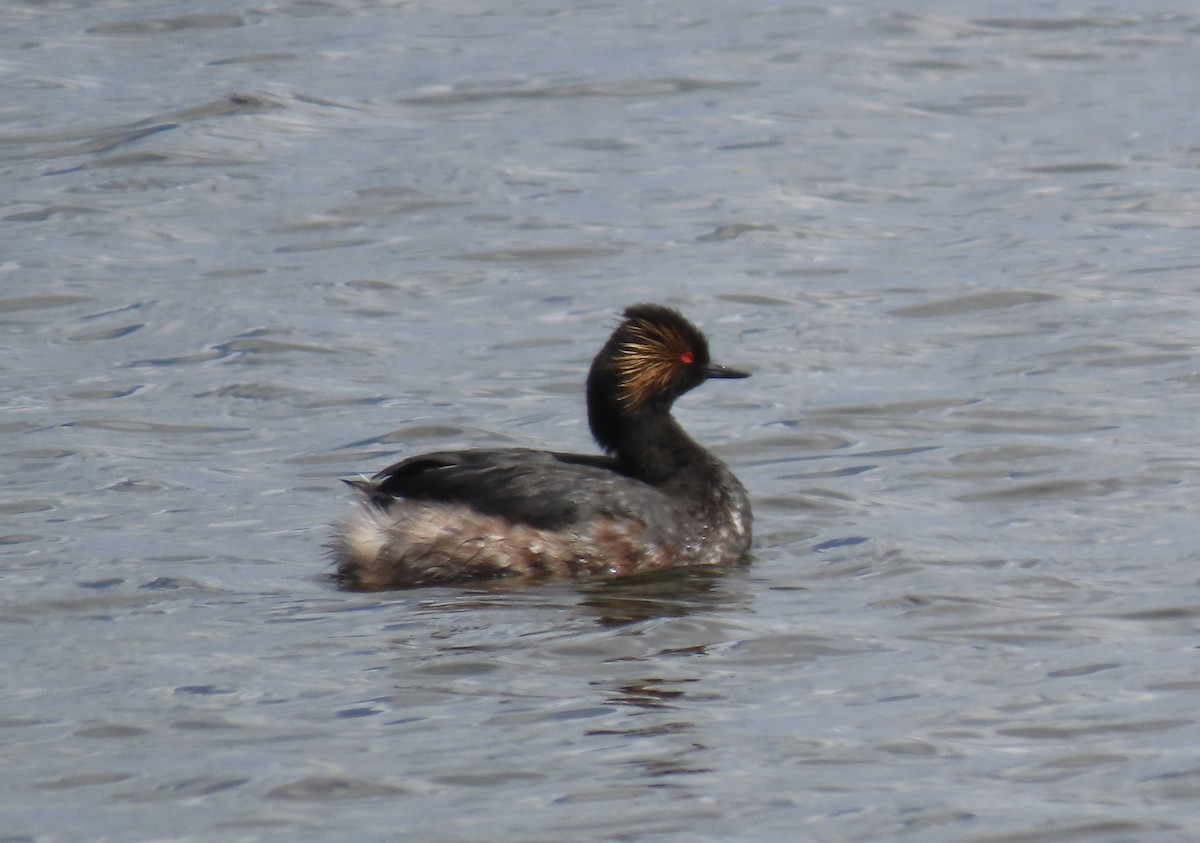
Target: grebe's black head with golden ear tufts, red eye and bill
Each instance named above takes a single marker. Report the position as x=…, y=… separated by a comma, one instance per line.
x=655, y=357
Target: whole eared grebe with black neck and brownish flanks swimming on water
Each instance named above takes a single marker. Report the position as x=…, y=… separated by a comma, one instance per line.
x=658, y=500
